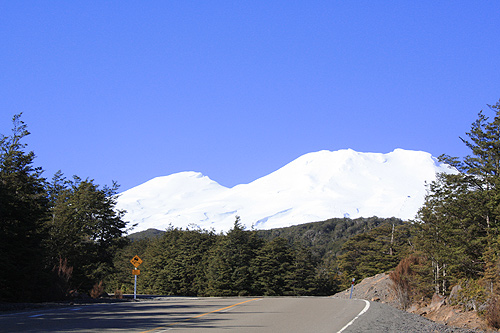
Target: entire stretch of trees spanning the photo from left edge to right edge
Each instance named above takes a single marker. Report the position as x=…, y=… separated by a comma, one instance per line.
x=63, y=235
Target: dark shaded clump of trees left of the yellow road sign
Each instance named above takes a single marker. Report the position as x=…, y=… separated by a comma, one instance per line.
x=56, y=236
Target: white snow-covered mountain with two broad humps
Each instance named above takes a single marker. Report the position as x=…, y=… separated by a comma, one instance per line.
x=314, y=187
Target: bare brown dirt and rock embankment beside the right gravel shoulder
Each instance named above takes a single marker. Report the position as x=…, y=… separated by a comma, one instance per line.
x=378, y=289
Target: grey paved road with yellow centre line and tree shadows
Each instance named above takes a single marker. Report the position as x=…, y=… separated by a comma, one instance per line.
x=281, y=314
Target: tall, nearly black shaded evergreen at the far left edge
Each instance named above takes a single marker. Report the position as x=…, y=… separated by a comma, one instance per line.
x=23, y=210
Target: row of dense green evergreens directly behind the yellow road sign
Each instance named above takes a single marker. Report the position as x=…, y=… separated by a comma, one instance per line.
x=202, y=263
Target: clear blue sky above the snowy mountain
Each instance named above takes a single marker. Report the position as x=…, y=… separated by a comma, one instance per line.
x=132, y=90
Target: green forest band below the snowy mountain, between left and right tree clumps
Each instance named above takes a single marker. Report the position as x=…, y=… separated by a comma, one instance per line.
x=297, y=260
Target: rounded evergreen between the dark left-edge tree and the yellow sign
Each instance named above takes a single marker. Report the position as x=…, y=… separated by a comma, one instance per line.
x=85, y=228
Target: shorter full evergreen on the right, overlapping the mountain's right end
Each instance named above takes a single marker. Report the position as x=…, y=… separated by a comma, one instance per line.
x=452, y=231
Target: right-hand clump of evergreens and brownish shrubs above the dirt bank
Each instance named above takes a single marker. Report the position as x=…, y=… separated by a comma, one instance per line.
x=456, y=236
